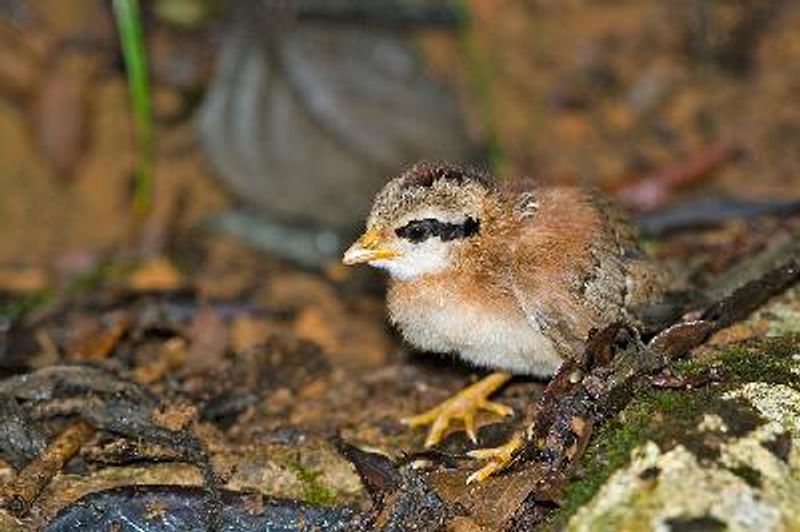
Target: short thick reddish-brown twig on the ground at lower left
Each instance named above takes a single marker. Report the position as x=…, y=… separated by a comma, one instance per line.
x=19, y=494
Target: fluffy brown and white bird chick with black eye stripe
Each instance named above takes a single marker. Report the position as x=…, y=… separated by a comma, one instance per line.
x=510, y=277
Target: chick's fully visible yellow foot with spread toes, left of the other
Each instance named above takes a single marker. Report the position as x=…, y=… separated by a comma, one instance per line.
x=463, y=405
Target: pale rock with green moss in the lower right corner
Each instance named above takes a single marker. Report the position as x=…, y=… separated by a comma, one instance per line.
x=719, y=456
